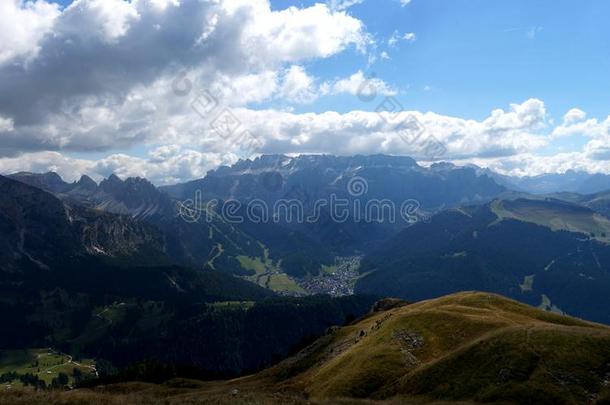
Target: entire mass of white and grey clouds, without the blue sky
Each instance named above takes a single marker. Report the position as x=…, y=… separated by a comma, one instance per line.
x=157, y=75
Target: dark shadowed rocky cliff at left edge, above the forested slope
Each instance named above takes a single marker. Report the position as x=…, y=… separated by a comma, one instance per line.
x=37, y=230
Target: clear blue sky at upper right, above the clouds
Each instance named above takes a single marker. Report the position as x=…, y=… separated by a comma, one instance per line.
x=472, y=56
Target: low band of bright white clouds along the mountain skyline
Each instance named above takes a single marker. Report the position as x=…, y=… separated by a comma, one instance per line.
x=508, y=141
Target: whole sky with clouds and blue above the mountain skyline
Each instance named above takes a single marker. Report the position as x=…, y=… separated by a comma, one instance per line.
x=169, y=89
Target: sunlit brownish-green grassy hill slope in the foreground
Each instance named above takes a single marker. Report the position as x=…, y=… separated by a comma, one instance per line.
x=467, y=347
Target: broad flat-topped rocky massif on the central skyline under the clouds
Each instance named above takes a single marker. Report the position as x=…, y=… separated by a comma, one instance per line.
x=313, y=177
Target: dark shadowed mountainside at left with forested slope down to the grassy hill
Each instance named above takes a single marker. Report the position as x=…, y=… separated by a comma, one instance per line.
x=99, y=284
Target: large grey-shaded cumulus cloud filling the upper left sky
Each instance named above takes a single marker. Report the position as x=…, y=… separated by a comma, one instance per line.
x=92, y=76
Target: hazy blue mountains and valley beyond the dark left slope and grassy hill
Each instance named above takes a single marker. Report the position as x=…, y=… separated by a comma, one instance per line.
x=284, y=255
